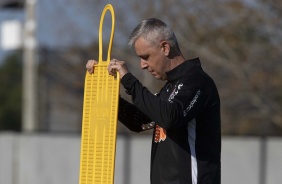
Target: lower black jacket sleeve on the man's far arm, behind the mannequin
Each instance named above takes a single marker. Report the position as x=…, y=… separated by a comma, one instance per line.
x=132, y=118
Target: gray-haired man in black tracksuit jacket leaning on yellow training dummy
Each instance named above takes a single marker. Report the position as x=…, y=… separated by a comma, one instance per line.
x=185, y=115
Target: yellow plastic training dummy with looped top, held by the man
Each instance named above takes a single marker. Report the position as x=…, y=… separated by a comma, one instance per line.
x=99, y=122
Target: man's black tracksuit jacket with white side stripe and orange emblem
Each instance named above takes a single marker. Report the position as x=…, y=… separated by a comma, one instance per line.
x=185, y=115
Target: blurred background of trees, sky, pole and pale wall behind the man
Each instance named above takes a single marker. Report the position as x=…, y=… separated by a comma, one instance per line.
x=45, y=45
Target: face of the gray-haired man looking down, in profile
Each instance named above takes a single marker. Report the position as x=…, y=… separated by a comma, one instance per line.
x=152, y=58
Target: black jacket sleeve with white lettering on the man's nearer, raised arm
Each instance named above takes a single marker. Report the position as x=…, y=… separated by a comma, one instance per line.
x=185, y=104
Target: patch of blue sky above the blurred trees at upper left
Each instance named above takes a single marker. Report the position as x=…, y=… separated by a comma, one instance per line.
x=65, y=23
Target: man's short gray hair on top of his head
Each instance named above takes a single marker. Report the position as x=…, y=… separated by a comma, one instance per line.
x=154, y=31
